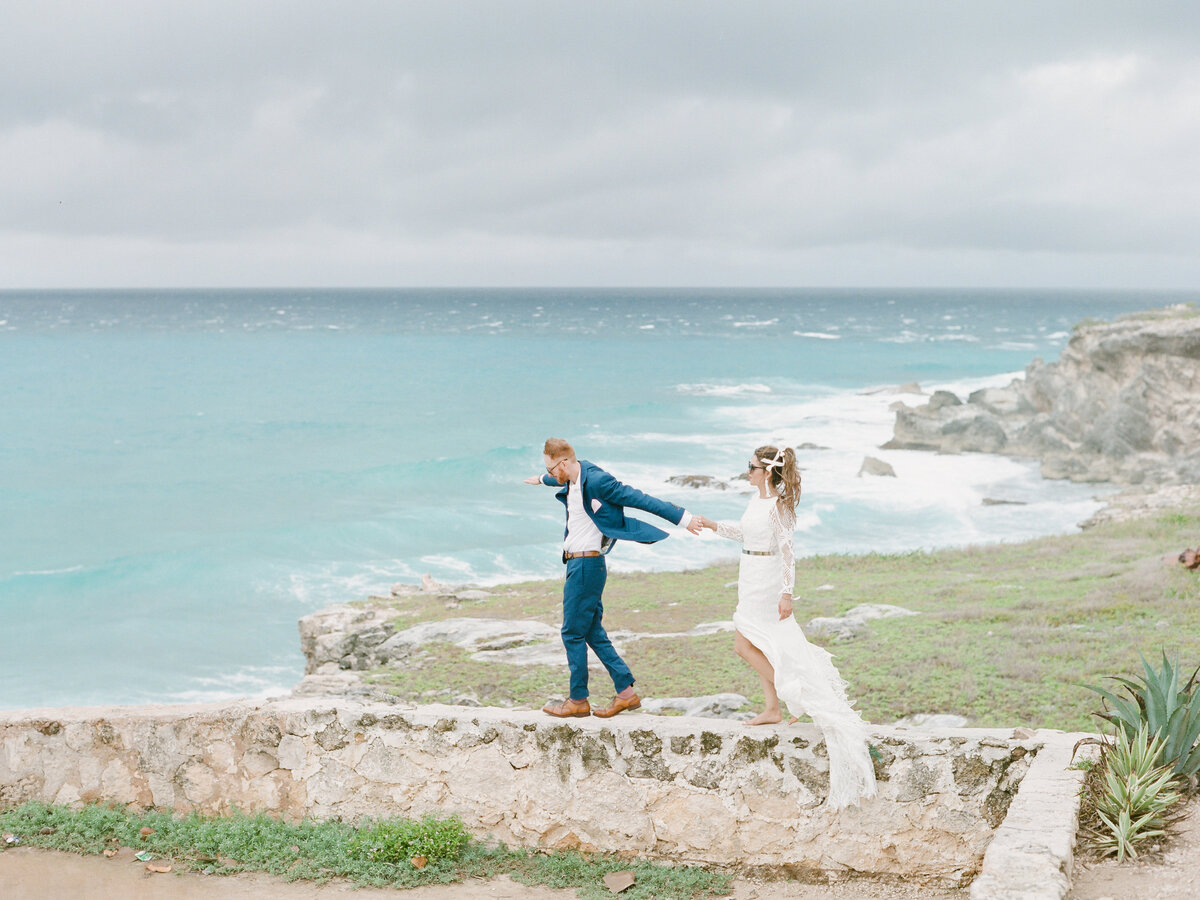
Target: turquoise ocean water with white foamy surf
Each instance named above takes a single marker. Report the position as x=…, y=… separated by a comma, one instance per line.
x=185, y=473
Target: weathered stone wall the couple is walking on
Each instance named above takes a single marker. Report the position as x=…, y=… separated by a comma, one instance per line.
x=674, y=789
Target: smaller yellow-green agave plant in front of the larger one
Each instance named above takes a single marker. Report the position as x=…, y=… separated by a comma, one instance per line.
x=1136, y=797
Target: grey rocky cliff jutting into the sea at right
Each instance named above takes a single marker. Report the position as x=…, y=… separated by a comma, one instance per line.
x=1121, y=405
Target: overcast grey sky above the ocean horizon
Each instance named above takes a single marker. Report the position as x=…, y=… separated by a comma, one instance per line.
x=722, y=143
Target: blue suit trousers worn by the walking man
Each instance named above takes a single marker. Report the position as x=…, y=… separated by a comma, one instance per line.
x=583, y=611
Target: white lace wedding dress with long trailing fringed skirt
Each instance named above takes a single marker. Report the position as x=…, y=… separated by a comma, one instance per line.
x=806, y=679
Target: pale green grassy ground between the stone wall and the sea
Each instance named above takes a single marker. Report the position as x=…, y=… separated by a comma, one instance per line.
x=1006, y=633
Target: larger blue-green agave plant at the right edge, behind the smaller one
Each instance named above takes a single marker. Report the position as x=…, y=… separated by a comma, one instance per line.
x=1169, y=711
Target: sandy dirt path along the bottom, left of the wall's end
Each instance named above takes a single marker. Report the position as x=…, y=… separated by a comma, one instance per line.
x=32, y=874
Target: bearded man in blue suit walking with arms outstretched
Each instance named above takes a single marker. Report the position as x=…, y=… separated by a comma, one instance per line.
x=596, y=520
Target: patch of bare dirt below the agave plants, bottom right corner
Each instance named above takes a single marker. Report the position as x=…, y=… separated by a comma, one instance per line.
x=1174, y=877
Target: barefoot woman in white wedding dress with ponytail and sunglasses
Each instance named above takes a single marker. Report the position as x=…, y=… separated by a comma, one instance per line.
x=770, y=639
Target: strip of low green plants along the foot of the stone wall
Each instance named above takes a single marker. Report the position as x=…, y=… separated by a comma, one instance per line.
x=377, y=854
